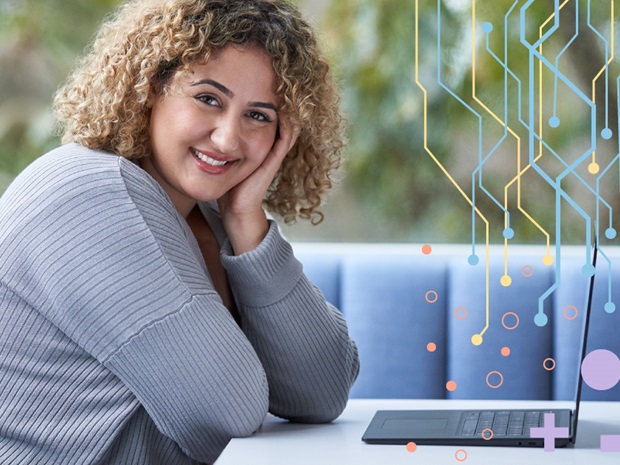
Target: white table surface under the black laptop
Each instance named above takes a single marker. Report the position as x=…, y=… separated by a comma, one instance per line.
x=339, y=443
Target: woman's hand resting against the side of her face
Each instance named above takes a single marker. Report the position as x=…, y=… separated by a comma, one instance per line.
x=241, y=207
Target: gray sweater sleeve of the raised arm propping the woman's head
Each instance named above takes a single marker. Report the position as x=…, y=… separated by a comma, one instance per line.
x=302, y=341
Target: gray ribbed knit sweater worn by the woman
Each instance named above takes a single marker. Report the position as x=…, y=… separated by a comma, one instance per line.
x=115, y=347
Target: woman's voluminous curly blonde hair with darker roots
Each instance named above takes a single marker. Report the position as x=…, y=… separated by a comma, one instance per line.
x=104, y=104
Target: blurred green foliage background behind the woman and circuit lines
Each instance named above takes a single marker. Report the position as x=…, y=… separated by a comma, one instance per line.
x=392, y=190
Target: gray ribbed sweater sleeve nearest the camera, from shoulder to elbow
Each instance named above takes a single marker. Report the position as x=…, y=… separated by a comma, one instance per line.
x=98, y=248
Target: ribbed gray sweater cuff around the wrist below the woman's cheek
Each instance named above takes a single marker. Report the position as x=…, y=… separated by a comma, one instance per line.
x=264, y=275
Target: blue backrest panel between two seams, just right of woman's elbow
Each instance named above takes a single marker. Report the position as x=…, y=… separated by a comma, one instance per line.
x=395, y=306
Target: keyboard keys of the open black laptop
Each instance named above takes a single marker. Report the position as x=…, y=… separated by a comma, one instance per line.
x=505, y=423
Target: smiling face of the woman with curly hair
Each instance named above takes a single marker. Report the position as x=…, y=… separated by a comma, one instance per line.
x=214, y=126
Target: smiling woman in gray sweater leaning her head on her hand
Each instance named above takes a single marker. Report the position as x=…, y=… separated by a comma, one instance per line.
x=149, y=309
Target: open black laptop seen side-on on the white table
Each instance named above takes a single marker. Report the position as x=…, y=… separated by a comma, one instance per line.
x=479, y=427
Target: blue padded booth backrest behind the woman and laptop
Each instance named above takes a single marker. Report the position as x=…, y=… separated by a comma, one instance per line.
x=413, y=316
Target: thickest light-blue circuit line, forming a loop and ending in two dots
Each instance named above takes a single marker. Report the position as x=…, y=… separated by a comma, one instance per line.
x=541, y=319
